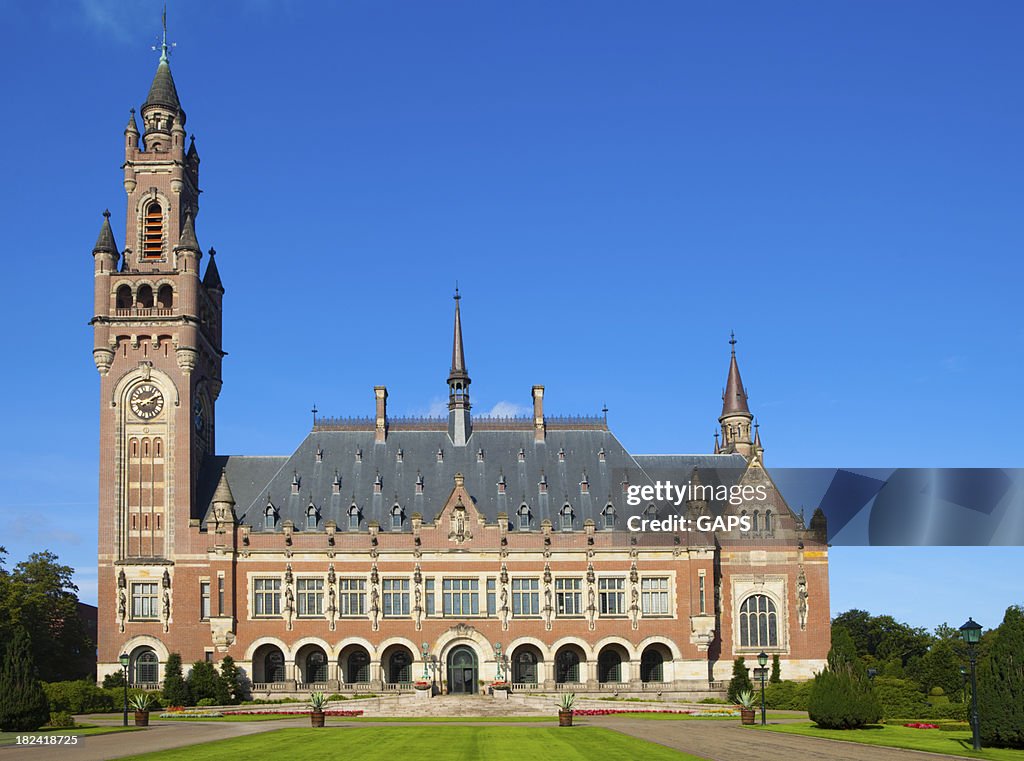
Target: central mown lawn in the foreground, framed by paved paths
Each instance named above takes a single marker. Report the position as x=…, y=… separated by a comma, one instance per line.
x=437, y=744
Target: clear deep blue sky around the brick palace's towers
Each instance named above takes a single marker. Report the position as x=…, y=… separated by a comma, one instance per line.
x=616, y=187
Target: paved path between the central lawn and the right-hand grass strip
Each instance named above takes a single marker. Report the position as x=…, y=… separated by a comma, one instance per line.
x=727, y=741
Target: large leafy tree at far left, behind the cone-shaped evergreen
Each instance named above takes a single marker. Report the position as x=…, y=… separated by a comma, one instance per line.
x=41, y=597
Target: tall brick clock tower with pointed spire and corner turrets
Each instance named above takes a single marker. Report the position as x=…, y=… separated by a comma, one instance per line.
x=157, y=330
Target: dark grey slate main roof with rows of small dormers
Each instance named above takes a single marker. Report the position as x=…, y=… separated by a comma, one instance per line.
x=563, y=462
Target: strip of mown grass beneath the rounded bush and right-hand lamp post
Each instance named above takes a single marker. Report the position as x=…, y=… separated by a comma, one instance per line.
x=932, y=741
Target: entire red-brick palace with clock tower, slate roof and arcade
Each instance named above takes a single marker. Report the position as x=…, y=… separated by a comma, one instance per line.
x=467, y=549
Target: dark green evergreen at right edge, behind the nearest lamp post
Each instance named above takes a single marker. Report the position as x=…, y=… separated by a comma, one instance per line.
x=1001, y=685
